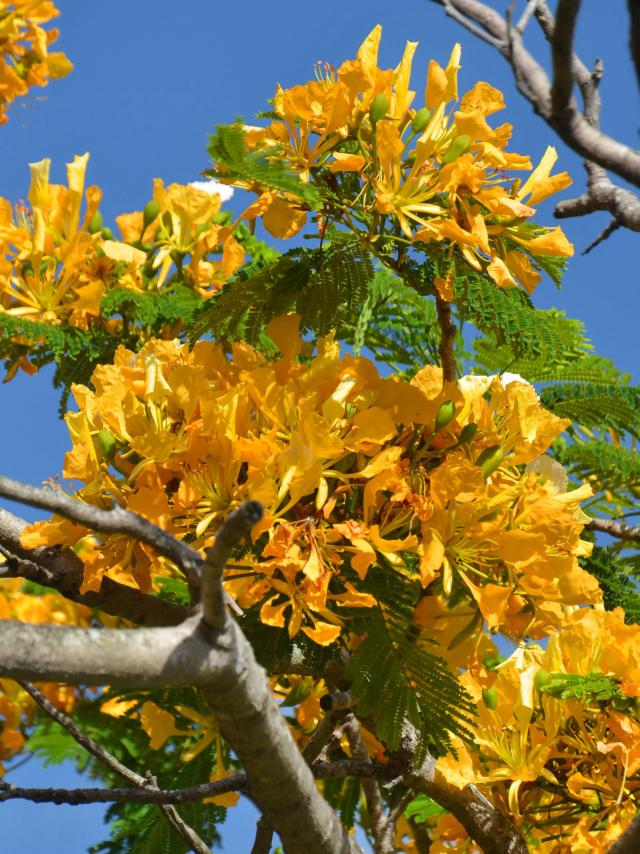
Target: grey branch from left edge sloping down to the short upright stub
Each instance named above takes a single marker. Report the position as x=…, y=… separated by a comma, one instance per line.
x=114, y=521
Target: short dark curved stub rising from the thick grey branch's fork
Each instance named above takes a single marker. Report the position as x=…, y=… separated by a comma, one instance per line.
x=235, y=528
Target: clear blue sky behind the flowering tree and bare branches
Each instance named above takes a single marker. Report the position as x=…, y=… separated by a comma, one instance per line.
x=151, y=79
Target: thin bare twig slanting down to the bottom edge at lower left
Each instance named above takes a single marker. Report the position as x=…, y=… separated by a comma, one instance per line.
x=148, y=782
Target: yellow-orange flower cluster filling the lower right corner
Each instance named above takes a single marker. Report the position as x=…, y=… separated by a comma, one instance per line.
x=565, y=766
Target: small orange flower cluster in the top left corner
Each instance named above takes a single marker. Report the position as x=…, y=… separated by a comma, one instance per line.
x=25, y=58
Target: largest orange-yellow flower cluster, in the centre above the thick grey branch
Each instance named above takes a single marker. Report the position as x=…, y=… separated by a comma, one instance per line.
x=443, y=483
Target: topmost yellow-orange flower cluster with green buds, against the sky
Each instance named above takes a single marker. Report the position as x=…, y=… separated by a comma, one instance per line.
x=436, y=175
